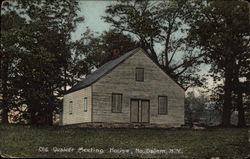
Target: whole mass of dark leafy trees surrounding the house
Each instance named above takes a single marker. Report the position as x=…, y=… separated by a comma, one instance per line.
x=39, y=60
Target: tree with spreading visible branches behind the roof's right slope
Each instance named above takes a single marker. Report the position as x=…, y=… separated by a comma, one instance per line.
x=159, y=25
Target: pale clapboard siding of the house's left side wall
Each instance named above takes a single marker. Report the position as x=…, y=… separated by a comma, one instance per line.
x=78, y=115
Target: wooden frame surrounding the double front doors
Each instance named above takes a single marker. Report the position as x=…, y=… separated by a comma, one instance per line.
x=139, y=105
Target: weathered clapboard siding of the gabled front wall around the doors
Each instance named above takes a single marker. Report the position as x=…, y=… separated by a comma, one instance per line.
x=122, y=80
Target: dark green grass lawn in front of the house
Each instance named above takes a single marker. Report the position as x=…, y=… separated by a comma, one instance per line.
x=27, y=141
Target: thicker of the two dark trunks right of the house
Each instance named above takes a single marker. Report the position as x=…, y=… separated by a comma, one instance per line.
x=227, y=105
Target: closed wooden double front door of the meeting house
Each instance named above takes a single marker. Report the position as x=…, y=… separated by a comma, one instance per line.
x=139, y=111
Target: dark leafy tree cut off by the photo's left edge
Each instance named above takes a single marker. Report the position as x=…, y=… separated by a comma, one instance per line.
x=9, y=56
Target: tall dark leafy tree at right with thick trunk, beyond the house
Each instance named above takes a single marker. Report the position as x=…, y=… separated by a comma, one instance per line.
x=221, y=29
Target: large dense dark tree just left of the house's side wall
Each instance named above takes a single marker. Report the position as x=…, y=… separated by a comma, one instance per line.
x=44, y=45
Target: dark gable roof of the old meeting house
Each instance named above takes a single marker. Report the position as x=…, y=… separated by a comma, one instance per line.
x=104, y=69
